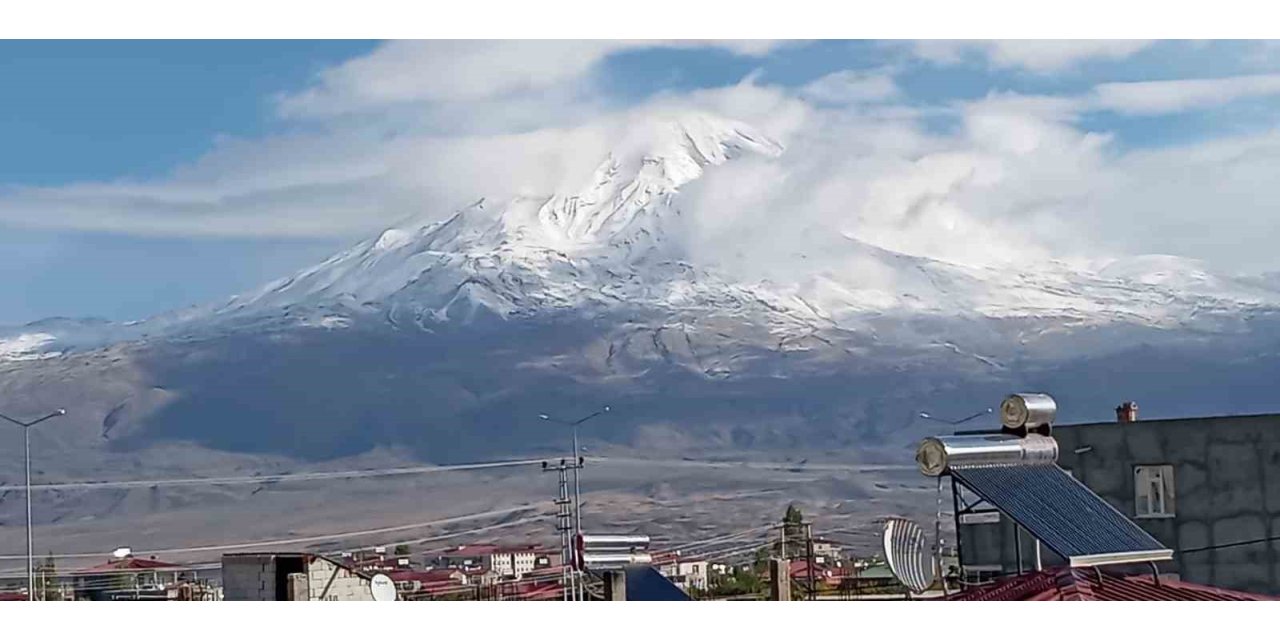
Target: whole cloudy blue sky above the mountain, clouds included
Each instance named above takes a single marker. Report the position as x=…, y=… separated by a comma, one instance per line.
x=140, y=177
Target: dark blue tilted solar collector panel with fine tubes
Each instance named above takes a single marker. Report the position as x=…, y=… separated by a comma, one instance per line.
x=1058, y=510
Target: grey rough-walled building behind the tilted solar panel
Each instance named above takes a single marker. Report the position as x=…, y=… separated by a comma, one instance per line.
x=1208, y=488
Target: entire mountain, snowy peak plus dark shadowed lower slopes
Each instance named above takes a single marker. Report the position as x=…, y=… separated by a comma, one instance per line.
x=461, y=324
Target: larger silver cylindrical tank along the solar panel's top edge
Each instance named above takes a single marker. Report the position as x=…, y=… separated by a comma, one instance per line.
x=940, y=454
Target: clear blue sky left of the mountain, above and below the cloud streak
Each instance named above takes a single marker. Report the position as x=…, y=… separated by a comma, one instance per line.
x=100, y=111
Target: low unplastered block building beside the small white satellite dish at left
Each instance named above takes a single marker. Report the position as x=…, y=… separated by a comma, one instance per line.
x=292, y=577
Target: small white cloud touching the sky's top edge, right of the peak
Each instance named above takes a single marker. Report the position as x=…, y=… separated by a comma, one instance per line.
x=1034, y=56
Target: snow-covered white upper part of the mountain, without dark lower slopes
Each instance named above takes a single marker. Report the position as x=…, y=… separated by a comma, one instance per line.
x=616, y=243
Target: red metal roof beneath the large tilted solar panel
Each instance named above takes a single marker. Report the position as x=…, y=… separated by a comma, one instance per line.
x=1087, y=584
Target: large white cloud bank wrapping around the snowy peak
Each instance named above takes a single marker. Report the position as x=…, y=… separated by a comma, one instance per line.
x=1017, y=180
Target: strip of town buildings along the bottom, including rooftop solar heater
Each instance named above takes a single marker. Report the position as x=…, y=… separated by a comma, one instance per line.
x=1128, y=510
